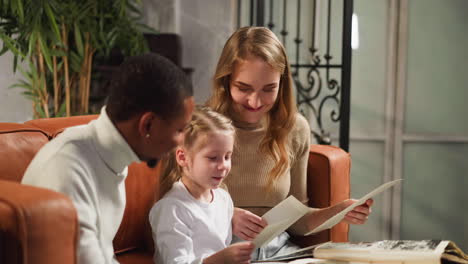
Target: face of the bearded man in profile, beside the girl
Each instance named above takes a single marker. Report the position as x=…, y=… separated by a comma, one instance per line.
x=166, y=134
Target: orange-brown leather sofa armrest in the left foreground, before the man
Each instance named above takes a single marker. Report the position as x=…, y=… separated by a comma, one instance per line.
x=36, y=225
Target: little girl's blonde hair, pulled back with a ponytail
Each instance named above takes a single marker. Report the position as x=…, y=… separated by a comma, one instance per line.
x=204, y=121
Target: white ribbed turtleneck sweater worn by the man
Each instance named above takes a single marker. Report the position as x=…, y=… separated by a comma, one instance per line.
x=88, y=163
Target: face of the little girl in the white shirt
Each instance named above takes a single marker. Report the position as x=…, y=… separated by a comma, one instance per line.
x=206, y=167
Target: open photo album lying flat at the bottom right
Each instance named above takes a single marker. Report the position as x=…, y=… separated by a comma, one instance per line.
x=385, y=251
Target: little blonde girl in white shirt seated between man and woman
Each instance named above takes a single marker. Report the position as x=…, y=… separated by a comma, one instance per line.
x=192, y=222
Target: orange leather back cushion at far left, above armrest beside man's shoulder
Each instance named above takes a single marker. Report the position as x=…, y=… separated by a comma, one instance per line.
x=19, y=143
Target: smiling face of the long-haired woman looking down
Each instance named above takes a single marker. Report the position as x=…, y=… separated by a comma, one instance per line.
x=254, y=88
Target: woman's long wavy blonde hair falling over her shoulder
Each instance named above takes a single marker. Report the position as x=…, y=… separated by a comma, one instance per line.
x=262, y=43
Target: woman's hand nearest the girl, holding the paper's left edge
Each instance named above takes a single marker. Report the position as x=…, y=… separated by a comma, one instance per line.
x=247, y=225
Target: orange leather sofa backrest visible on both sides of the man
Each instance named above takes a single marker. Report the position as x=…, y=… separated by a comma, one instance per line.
x=20, y=142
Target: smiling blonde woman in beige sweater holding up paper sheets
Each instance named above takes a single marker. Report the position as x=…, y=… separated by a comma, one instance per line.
x=253, y=86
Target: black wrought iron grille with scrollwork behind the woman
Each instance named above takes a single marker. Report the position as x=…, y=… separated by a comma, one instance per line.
x=309, y=30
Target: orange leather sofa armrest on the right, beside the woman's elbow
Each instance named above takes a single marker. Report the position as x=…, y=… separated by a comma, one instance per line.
x=328, y=172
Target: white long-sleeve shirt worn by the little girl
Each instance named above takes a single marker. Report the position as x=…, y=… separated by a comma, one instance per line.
x=185, y=230
